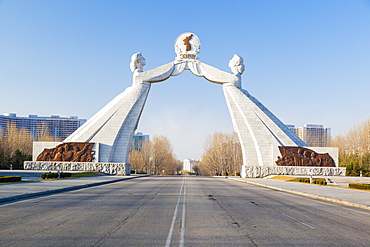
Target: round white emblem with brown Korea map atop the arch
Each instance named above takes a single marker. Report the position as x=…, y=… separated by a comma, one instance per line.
x=187, y=46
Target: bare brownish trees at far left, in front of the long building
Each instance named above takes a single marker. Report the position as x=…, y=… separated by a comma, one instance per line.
x=16, y=145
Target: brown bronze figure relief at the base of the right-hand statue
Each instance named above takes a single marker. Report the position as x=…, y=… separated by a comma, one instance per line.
x=300, y=156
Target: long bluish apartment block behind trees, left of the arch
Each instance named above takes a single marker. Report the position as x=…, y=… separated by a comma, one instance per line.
x=57, y=126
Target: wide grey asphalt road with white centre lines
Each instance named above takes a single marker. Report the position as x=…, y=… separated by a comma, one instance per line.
x=180, y=211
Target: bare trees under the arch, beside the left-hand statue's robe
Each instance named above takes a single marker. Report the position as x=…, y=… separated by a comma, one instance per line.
x=155, y=157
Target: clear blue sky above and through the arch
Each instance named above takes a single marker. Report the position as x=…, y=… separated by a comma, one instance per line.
x=308, y=61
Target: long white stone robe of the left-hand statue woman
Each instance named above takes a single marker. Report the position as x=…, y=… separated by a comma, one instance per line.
x=114, y=125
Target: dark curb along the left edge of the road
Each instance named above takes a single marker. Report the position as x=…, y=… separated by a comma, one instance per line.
x=48, y=192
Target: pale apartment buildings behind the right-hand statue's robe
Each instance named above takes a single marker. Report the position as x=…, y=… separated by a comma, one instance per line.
x=315, y=135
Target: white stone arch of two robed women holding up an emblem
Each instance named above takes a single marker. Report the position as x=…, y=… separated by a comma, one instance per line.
x=259, y=131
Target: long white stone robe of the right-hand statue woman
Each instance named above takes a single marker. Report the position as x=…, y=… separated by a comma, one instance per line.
x=260, y=132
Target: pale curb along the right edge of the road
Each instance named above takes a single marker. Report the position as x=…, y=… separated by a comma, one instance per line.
x=351, y=204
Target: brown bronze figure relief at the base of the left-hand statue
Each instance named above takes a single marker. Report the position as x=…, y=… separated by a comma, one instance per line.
x=69, y=151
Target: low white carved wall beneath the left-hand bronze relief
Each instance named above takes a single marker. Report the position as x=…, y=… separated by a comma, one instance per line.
x=108, y=168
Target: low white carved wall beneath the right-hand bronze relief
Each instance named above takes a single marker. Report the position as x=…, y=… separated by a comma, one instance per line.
x=263, y=171
